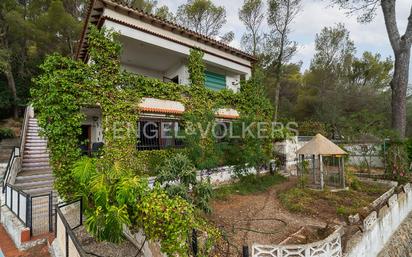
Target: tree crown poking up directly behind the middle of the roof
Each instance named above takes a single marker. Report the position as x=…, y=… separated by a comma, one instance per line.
x=202, y=16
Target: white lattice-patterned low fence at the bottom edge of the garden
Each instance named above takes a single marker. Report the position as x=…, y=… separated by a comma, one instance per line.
x=329, y=247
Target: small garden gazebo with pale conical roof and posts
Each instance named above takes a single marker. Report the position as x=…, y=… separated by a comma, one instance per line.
x=317, y=149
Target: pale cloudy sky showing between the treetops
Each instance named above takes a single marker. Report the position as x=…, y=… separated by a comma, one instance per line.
x=313, y=17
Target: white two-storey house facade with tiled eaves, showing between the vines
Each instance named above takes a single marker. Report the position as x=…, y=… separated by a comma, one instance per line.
x=159, y=49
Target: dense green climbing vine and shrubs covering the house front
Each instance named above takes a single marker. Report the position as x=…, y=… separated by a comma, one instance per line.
x=114, y=191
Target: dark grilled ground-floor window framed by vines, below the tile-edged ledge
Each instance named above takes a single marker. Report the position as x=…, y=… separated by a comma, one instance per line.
x=158, y=134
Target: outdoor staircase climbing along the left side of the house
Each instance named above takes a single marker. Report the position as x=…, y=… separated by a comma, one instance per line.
x=35, y=176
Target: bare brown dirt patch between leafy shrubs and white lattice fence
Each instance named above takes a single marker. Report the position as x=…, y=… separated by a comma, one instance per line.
x=259, y=218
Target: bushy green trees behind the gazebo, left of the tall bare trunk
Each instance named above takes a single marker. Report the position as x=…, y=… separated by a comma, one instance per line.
x=347, y=93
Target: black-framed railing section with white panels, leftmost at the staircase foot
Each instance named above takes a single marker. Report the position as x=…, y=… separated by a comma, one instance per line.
x=18, y=202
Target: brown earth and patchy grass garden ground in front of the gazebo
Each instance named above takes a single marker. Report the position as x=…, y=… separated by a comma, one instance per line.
x=270, y=209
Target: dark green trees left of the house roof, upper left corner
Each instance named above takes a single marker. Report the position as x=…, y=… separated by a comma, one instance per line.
x=28, y=31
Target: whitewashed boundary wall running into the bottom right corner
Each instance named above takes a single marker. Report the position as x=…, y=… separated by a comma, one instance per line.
x=379, y=225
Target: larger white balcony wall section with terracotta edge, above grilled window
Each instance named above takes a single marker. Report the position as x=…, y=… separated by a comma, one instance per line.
x=161, y=106
